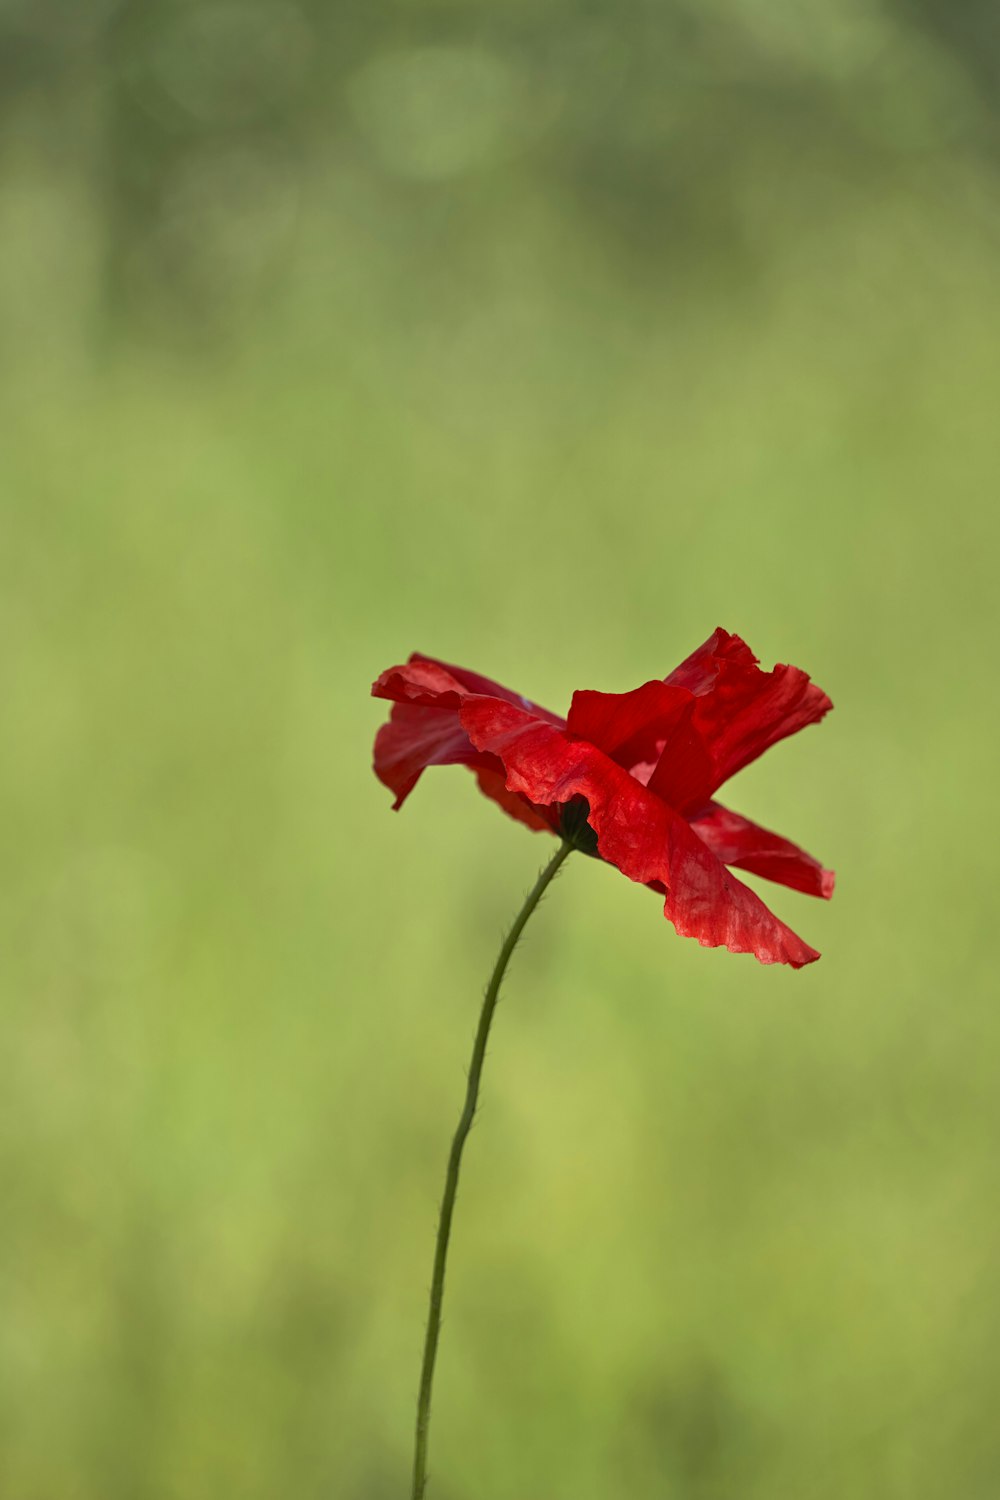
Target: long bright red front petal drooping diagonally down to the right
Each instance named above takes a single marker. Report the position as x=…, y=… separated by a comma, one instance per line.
x=636, y=832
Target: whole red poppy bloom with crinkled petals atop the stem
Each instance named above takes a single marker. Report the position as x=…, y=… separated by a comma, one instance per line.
x=642, y=769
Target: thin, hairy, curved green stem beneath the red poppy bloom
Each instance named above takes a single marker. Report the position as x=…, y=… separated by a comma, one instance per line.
x=455, y=1162
